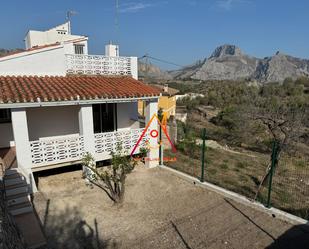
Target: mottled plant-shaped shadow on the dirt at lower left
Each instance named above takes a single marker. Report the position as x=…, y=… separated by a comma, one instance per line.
x=67, y=229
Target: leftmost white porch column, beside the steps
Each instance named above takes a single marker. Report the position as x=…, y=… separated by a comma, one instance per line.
x=22, y=145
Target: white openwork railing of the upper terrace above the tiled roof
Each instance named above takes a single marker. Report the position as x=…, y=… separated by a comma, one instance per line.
x=98, y=65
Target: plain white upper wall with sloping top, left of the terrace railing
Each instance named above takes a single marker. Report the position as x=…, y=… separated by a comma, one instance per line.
x=42, y=62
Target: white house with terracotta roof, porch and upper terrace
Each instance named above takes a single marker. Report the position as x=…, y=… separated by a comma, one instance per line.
x=58, y=102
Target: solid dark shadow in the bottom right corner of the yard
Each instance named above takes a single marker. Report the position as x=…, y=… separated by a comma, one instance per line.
x=296, y=237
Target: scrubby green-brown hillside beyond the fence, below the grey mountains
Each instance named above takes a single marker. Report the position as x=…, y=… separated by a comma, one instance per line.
x=245, y=119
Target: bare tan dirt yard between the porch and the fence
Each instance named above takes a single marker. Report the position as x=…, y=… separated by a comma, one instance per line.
x=161, y=210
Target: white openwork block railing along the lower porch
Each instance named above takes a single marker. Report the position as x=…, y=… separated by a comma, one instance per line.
x=66, y=149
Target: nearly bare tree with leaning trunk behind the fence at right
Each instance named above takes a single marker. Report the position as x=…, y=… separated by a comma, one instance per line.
x=282, y=112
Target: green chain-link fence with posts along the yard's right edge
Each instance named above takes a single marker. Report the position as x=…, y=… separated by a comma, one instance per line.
x=245, y=172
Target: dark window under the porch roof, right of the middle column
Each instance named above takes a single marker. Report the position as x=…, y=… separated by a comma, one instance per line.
x=104, y=117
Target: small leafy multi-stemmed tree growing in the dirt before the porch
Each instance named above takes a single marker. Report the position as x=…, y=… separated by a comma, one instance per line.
x=111, y=179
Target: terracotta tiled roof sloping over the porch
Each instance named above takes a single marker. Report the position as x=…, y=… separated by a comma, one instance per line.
x=30, y=89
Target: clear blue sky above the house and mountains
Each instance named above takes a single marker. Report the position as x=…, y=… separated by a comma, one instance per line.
x=180, y=31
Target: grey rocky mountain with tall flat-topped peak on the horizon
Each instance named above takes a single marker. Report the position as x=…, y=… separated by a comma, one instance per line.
x=228, y=62
